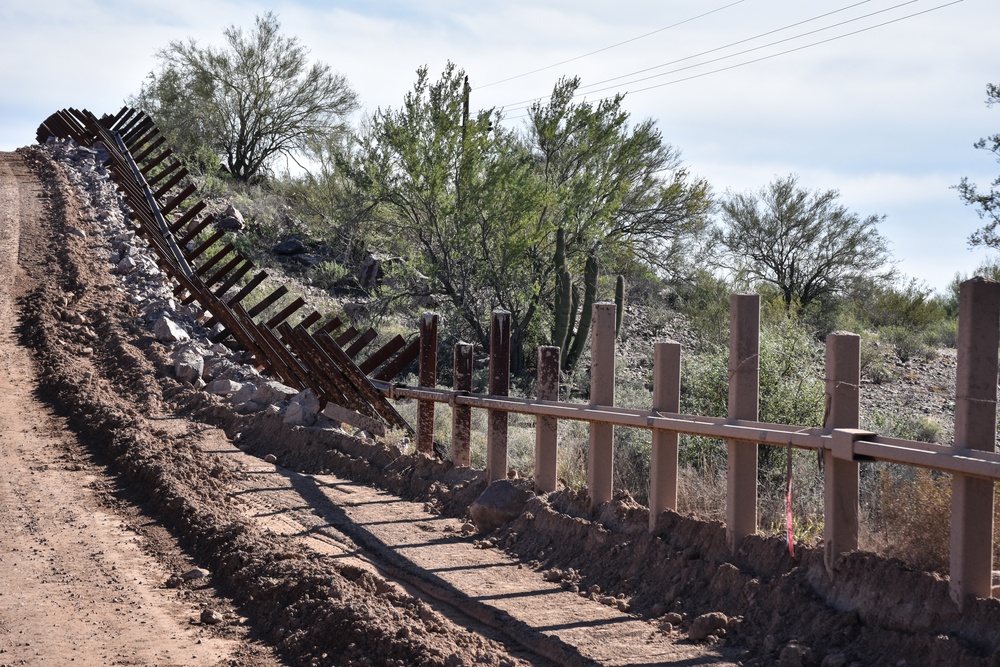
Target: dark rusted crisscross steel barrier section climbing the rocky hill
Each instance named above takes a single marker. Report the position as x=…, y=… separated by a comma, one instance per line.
x=306, y=354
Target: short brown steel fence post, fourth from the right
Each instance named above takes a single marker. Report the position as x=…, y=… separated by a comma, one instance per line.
x=663, y=459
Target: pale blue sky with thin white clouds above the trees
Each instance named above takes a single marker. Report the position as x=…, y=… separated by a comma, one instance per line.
x=881, y=100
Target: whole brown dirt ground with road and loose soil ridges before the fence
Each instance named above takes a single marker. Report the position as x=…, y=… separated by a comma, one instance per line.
x=343, y=551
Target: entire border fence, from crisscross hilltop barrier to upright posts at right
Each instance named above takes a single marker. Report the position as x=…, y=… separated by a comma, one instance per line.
x=308, y=354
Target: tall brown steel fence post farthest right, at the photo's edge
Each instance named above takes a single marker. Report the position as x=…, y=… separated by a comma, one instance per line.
x=975, y=428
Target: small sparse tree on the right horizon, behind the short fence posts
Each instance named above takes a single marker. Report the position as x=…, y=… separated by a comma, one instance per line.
x=804, y=243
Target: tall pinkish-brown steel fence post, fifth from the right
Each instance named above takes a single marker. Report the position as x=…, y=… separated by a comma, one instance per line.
x=600, y=462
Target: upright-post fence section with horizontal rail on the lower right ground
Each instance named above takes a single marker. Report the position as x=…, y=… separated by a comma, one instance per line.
x=972, y=461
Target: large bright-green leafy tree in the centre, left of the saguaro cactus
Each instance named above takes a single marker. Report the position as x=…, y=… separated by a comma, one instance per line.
x=480, y=203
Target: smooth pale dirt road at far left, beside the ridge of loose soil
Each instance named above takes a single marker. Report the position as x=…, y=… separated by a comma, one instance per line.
x=76, y=586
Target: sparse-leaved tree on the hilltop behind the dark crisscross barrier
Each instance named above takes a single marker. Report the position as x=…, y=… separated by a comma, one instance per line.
x=246, y=103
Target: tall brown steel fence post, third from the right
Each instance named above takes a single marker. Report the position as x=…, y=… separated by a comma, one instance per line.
x=744, y=376
